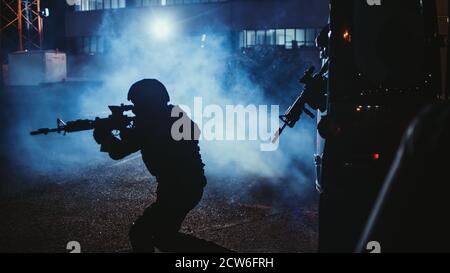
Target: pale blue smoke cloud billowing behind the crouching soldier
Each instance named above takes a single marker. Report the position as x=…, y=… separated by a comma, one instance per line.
x=206, y=65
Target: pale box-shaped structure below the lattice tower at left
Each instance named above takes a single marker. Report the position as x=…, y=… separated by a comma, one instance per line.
x=35, y=67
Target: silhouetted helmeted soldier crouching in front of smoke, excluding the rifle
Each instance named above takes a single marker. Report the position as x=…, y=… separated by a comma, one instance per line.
x=176, y=163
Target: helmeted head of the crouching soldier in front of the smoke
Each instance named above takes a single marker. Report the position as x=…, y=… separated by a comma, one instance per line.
x=148, y=95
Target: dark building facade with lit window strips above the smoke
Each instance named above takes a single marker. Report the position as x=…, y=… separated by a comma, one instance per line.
x=288, y=24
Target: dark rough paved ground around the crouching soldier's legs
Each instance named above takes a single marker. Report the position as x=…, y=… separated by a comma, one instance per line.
x=95, y=207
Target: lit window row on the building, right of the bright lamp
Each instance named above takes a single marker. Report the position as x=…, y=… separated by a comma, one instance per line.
x=287, y=38
